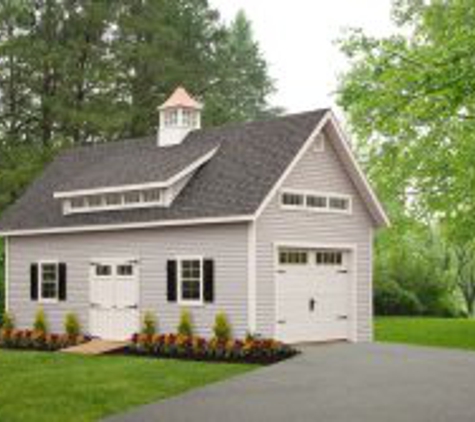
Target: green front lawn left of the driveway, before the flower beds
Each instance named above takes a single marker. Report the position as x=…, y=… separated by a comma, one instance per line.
x=54, y=387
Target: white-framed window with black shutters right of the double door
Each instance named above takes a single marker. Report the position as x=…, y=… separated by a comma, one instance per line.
x=190, y=280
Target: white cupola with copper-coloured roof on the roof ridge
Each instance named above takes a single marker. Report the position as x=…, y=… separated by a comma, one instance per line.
x=179, y=115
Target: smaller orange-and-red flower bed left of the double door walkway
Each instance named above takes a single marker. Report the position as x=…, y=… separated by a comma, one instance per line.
x=32, y=340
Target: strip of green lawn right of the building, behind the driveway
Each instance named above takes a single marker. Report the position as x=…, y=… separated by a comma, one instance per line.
x=437, y=332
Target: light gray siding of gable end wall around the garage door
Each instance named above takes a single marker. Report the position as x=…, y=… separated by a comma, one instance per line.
x=319, y=171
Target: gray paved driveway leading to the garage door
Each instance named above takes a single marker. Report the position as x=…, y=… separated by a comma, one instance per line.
x=337, y=383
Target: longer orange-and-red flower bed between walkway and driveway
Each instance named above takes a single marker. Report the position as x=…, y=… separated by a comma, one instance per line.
x=172, y=346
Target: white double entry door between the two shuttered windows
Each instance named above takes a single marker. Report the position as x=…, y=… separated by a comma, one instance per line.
x=114, y=298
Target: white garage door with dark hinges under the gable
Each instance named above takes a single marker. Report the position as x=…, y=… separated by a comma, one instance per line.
x=313, y=295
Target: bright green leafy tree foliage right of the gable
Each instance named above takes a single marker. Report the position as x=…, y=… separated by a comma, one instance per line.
x=410, y=99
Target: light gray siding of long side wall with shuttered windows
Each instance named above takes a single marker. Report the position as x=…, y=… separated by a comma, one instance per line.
x=225, y=244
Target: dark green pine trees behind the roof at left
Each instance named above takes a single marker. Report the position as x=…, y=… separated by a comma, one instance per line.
x=81, y=71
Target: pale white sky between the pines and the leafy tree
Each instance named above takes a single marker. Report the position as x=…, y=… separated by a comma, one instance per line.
x=298, y=38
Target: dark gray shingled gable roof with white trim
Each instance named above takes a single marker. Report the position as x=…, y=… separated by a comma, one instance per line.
x=249, y=161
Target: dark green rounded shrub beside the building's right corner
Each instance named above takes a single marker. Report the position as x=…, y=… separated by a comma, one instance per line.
x=392, y=299
